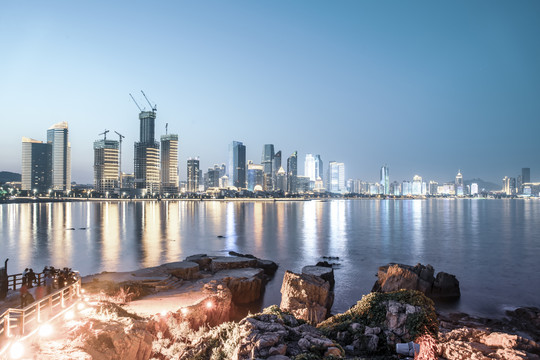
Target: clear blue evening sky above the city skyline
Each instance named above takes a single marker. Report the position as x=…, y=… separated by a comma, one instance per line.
x=426, y=87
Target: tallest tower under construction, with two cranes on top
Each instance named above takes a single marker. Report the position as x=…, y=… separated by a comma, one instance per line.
x=147, y=174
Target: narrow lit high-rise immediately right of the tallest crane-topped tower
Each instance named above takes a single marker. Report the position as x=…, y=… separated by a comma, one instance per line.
x=169, y=164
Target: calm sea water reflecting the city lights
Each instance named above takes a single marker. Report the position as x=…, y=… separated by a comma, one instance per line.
x=492, y=246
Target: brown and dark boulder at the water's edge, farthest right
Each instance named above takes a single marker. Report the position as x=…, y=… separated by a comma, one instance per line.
x=393, y=277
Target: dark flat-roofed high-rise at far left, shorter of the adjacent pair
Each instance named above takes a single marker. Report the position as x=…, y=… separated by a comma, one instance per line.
x=36, y=165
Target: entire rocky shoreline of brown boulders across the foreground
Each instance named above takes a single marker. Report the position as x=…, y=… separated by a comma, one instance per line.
x=183, y=310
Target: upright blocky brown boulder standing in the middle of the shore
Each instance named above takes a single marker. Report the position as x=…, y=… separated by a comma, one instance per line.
x=307, y=297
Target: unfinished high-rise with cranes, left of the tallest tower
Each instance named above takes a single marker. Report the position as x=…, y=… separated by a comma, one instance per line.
x=106, y=165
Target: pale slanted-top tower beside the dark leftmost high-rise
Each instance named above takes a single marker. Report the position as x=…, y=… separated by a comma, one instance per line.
x=57, y=136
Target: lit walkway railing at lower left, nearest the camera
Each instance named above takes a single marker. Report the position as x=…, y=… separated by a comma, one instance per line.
x=20, y=322
